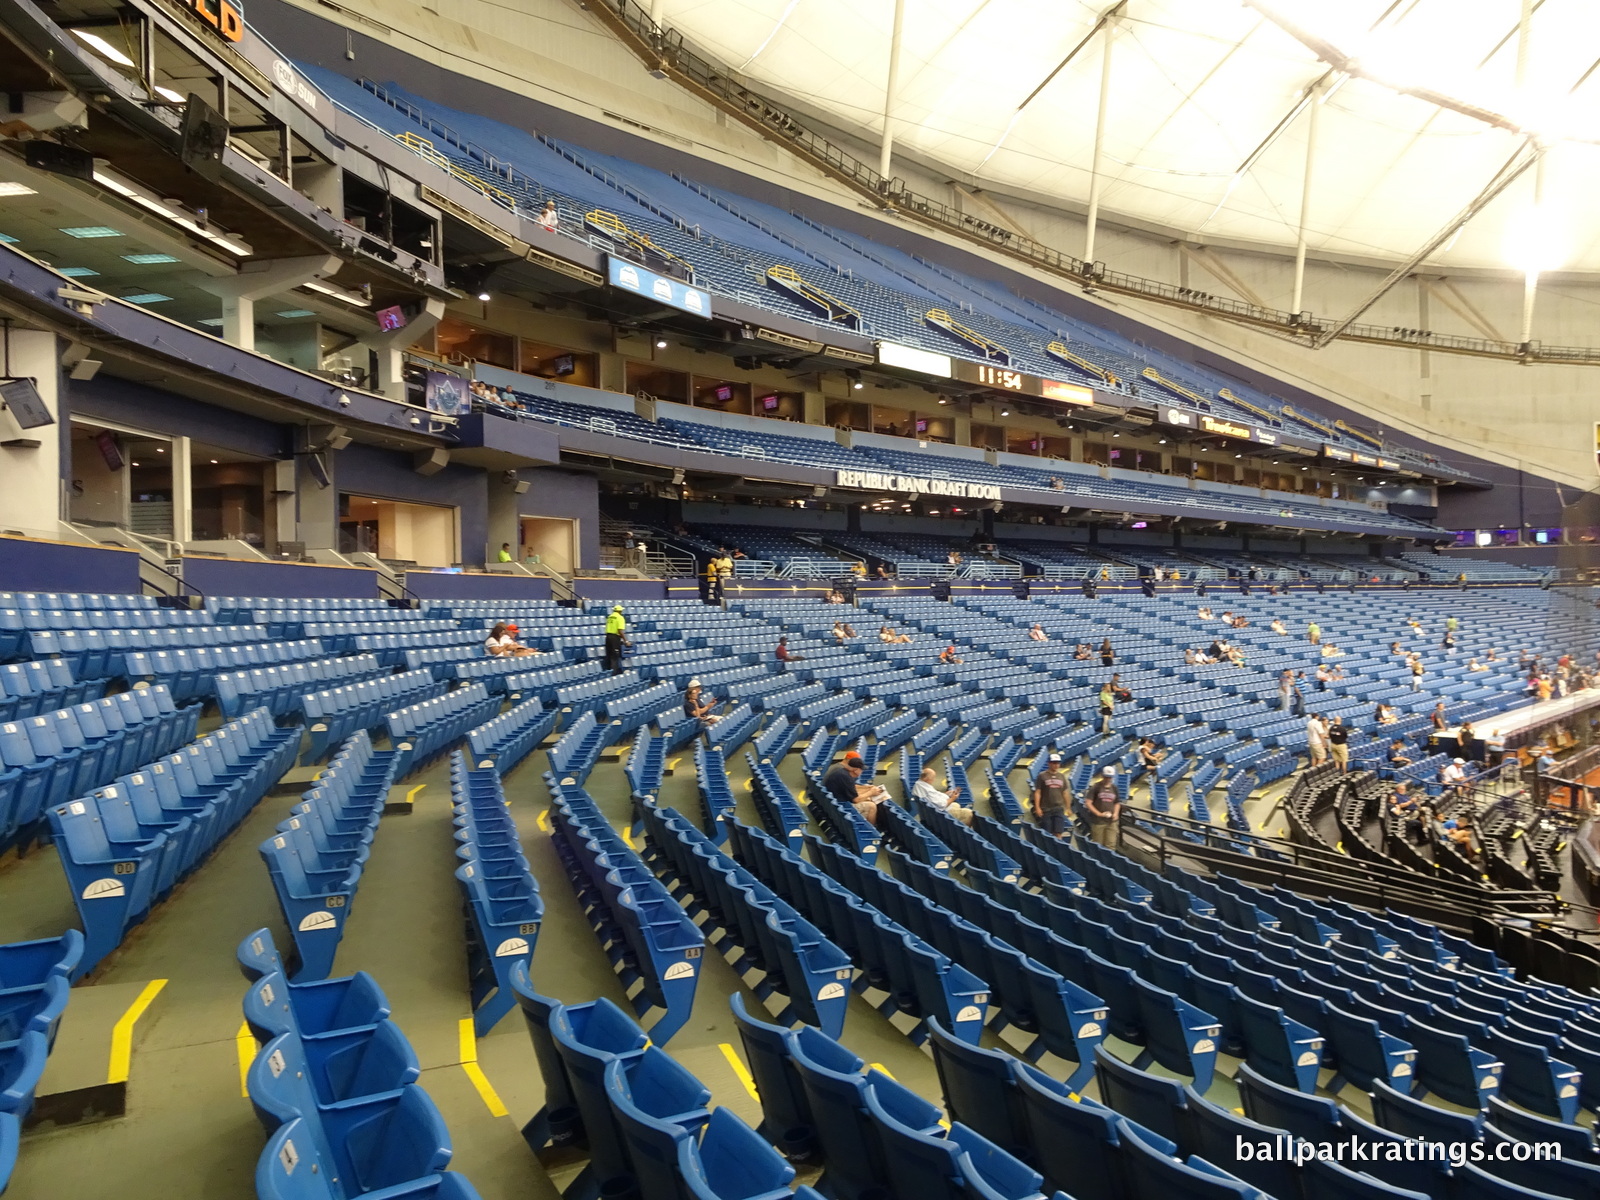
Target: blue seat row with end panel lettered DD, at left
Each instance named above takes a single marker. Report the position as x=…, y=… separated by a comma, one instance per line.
x=124, y=847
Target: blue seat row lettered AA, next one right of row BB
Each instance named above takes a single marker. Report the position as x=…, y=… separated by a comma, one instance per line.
x=649, y=938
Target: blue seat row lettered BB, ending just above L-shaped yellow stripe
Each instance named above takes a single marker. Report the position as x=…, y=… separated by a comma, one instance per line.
x=500, y=894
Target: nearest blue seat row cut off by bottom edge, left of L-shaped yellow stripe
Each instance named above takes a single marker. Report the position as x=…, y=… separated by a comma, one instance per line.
x=334, y=1082
